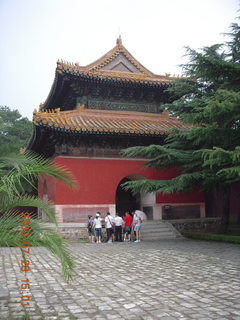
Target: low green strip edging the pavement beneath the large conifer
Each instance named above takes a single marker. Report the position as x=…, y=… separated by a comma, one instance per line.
x=212, y=237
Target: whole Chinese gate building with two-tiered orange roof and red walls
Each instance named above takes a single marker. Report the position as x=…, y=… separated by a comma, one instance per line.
x=89, y=116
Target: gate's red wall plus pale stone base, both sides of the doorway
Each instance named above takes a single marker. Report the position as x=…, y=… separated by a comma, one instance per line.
x=98, y=180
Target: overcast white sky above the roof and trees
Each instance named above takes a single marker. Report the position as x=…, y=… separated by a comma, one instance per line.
x=36, y=33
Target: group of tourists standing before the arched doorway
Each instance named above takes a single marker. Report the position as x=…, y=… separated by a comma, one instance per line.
x=117, y=228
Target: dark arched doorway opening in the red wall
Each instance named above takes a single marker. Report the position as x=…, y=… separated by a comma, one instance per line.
x=125, y=200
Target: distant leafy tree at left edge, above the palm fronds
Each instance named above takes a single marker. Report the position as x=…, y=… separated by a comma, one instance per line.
x=15, y=131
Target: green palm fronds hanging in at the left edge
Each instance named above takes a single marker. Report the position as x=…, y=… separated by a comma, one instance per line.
x=26, y=168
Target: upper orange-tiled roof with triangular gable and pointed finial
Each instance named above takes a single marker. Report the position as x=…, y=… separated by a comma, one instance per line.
x=117, y=67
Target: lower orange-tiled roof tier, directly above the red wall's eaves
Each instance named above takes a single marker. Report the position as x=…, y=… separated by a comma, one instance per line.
x=93, y=121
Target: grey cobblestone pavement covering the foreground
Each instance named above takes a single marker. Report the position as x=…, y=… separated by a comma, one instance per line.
x=168, y=279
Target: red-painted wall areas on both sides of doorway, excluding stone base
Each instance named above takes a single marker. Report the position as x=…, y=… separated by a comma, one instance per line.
x=98, y=180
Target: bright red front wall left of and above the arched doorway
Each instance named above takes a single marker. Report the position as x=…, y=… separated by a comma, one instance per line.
x=97, y=179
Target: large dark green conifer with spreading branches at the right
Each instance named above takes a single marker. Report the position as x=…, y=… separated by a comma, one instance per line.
x=208, y=100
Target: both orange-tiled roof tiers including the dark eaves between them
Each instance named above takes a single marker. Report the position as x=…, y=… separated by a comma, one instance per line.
x=115, y=96
